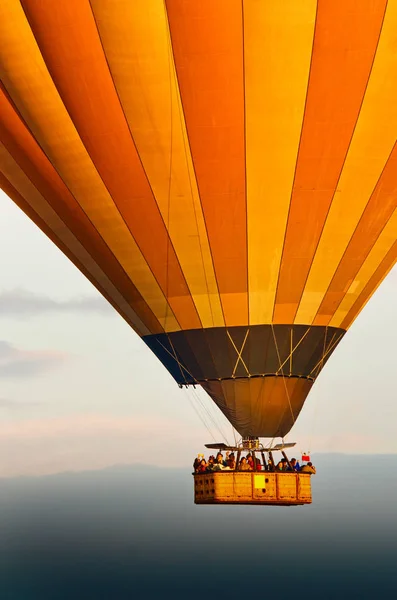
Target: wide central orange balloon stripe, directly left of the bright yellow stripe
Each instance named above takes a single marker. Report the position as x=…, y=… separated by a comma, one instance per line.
x=207, y=40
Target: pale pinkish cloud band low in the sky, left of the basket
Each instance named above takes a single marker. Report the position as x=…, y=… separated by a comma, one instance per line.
x=82, y=442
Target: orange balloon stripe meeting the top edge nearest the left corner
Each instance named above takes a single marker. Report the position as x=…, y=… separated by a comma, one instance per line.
x=69, y=42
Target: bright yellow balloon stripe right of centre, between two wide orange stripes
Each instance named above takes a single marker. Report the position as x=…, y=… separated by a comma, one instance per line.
x=278, y=38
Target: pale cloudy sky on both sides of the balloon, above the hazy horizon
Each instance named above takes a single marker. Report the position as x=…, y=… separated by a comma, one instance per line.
x=79, y=390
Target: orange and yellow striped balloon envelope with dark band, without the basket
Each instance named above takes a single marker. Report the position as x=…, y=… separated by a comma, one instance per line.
x=224, y=173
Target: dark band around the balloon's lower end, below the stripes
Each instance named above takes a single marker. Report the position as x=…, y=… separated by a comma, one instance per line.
x=219, y=353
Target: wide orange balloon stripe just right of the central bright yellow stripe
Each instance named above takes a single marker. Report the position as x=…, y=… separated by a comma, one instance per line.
x=345, y=43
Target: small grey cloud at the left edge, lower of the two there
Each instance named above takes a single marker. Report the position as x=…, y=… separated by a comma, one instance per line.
x=15, y=362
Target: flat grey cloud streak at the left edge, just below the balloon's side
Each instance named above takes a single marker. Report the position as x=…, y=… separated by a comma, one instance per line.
x=22, y=303
